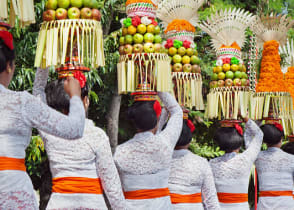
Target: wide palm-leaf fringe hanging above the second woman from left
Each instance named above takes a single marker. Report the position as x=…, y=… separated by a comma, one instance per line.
x=59, y=39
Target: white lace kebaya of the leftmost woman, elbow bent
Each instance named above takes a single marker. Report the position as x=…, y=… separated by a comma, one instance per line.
x=20, y=112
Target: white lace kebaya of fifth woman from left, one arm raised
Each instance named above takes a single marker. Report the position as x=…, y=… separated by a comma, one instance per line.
x=232, y=171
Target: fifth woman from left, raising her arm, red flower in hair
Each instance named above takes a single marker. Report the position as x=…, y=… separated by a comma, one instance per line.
x=232, y=170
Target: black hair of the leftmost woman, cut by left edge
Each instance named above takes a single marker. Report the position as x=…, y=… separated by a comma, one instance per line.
x=6, y=56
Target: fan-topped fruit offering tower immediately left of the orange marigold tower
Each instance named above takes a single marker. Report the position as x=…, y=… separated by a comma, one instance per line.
x=229, y=86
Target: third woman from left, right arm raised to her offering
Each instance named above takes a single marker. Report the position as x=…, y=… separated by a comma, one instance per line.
x=144, y=161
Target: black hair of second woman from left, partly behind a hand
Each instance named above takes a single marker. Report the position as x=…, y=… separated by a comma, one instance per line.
x=57, y=98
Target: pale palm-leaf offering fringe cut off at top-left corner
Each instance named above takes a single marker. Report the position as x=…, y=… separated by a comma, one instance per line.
x=21, y=9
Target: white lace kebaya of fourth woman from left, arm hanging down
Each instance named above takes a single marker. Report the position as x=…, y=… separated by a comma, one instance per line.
x=191, y=174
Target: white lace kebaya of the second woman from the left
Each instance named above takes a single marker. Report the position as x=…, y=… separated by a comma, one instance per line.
x=87, y=157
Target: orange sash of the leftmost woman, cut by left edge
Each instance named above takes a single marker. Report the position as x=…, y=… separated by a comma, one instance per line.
x=7, y=163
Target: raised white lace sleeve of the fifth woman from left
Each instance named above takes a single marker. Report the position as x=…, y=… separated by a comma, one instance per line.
x=254, y=136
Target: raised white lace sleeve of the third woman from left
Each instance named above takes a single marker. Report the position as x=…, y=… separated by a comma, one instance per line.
x=174, y=126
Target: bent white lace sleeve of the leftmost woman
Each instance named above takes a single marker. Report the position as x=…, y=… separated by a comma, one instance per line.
x=37, y=114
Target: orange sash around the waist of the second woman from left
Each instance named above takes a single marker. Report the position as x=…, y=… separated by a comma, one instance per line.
x=77, y=185
